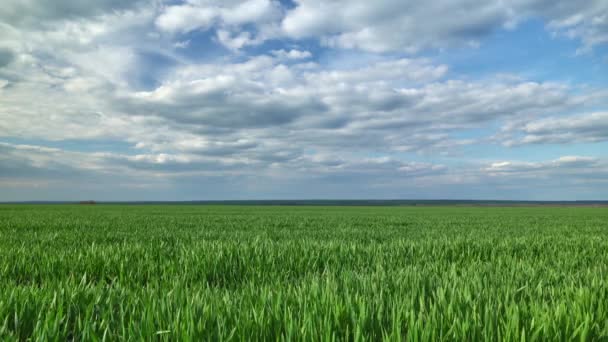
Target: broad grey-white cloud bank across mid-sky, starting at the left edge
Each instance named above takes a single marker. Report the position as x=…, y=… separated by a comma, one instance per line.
x=255, y=107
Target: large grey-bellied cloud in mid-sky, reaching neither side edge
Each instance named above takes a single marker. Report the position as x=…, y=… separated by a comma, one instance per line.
x=263, y=92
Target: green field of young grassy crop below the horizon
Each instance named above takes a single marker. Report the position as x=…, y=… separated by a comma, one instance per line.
x=273, y=273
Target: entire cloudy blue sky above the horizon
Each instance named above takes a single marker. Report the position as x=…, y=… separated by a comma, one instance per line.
x=303, y=99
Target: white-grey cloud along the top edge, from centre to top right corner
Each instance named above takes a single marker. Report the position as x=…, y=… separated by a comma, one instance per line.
x=392, y=25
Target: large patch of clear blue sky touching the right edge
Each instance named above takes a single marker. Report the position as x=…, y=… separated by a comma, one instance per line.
x=529, y=51
